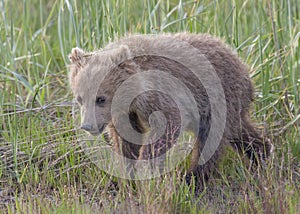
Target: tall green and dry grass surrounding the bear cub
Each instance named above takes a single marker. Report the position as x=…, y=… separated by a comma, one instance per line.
x=44, y=168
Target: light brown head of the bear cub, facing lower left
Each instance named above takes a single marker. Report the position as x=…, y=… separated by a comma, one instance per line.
x=94, y=77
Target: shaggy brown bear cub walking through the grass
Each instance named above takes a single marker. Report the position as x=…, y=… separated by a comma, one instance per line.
x=131, y=89
